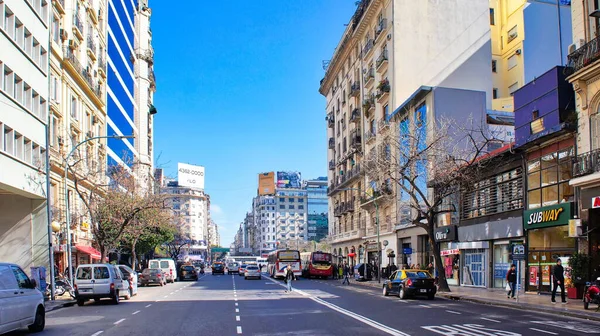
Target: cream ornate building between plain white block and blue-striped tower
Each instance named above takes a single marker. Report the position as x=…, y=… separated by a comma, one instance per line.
x=77, y=114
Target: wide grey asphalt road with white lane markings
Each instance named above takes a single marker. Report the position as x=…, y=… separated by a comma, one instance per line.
x=230, y=305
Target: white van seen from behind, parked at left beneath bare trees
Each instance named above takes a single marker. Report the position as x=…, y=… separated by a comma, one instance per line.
x=97, y=281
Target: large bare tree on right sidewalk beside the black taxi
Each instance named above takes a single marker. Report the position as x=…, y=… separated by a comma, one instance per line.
x=428, y=162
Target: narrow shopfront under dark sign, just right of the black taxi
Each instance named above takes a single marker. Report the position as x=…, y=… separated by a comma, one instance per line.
x=445, y=236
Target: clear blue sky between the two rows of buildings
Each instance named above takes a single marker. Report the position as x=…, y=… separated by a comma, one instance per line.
x=237, y=92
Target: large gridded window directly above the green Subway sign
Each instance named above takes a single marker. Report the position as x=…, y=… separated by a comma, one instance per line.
x=548, y=179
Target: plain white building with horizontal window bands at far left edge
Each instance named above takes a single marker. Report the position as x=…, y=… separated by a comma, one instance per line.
x=23, y=123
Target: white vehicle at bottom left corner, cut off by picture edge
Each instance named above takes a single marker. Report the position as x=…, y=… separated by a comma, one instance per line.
x=21, y=304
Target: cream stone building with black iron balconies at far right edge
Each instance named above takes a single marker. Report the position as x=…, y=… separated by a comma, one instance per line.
x=584, y=74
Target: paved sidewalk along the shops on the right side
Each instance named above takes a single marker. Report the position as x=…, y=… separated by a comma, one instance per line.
x=527, y=301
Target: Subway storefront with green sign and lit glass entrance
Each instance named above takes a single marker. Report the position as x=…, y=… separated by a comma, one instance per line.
x=547, y=240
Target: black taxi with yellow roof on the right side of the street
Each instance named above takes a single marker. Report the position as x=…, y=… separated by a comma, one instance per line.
x=405, y=283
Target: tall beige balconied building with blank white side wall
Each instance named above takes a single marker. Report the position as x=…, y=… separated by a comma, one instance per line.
x=388, y=57
